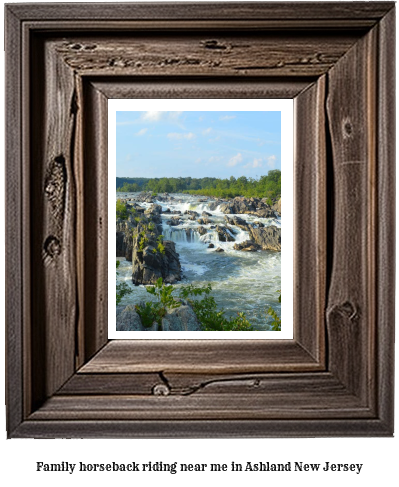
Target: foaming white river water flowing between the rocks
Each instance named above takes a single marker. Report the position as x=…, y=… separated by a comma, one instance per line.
x=246, y=282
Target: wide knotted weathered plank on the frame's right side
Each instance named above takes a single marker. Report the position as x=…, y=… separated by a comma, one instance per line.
x=351, y=121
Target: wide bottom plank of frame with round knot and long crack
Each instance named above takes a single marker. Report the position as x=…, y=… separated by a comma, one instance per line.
x=276, y=396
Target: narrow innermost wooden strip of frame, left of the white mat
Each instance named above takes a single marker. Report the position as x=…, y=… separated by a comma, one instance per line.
x=95, y=202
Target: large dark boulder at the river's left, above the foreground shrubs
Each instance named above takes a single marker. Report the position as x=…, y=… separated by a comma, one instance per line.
x=149, y=264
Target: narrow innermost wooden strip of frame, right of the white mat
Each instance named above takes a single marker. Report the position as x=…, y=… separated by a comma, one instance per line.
x=310, y=237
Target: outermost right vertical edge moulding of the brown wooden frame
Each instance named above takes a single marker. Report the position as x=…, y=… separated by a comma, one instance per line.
x=385, y=289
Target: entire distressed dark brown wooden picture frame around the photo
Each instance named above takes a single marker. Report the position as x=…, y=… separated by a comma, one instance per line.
x=64, y=379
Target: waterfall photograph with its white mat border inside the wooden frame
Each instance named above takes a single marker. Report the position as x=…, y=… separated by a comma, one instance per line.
x=200, y=242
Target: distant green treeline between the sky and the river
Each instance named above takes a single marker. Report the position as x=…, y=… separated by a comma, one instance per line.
x=265, y=187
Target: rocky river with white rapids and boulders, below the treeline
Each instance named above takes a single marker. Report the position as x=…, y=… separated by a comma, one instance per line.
x=189, y=239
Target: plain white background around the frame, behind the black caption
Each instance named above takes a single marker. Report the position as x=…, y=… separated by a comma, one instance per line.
x=19, y=457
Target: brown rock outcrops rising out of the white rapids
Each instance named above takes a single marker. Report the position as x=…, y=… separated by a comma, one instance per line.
x=139, y=238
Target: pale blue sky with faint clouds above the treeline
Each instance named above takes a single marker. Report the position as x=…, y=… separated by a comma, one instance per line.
x=197, y=144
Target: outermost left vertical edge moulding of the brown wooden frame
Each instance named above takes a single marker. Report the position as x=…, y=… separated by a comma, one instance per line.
x=14, y=213
